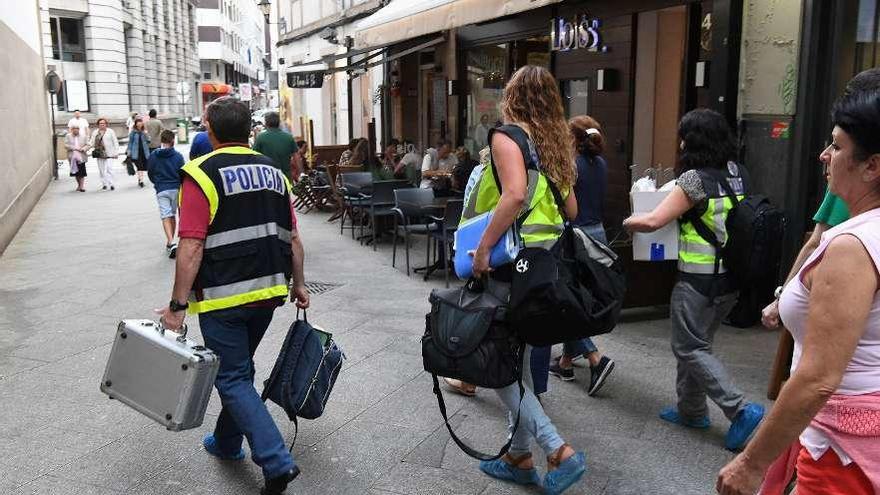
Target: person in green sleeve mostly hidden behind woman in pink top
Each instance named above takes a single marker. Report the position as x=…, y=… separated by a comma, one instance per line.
x=831, y=212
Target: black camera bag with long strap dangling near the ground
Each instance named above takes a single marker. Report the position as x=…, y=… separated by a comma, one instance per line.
x=467, y=338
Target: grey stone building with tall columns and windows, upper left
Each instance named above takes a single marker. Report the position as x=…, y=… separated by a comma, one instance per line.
x=122, y=56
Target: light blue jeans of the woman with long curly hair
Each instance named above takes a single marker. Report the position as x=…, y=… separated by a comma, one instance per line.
x=533, y=421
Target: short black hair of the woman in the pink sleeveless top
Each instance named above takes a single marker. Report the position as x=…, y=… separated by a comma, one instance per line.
x=858, y=114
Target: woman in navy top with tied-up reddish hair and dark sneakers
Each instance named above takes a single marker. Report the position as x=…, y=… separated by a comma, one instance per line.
x=589, y=189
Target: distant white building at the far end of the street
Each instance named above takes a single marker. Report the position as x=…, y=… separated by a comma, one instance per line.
x=232, y=49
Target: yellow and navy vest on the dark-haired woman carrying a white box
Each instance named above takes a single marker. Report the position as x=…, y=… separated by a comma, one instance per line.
x=695, y=254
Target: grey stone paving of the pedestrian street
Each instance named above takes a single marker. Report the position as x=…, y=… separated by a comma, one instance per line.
x=84, y=261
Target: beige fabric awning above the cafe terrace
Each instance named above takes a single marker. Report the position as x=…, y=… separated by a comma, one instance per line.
x=405, y=19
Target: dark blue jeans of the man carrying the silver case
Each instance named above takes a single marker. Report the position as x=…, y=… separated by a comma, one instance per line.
x=234, y=334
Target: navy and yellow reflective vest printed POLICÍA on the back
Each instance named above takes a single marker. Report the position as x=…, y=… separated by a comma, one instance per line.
x=247, y=255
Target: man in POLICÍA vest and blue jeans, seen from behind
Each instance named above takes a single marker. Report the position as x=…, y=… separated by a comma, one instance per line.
x=238, y=250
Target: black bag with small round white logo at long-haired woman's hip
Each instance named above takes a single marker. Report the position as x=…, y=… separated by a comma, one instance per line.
x=565, y=293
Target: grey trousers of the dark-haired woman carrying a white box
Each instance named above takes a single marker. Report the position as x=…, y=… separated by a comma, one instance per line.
x=700, y=373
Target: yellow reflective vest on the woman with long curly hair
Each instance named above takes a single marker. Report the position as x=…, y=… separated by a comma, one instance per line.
x=544, y=223
